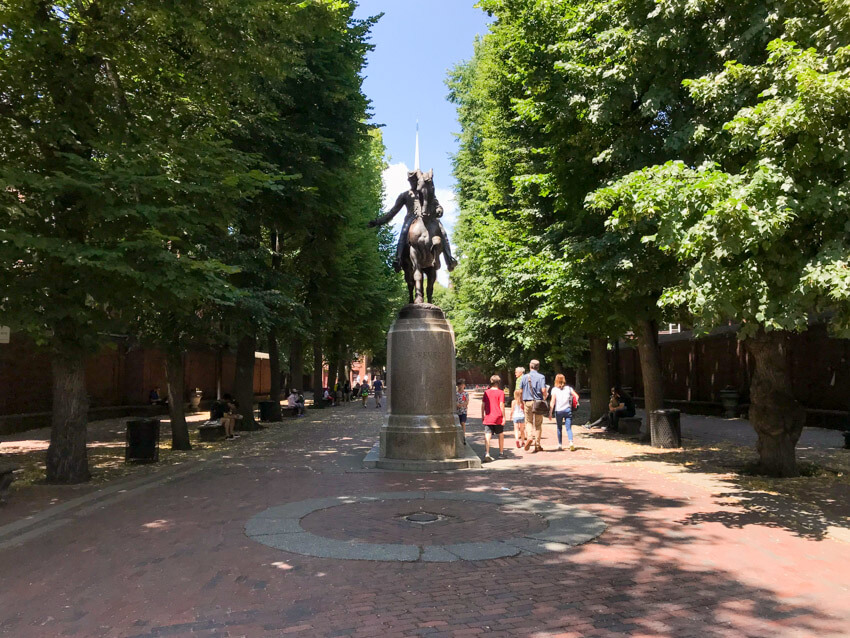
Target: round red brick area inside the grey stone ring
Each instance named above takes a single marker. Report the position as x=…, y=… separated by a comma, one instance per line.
x=383, y=522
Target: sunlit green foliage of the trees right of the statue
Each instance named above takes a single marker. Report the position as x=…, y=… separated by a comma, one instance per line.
x=657, y=157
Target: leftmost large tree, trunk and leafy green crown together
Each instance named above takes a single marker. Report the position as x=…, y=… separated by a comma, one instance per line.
x=108, y=140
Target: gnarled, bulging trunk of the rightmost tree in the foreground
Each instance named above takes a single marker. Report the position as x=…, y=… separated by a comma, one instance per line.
x=774, y=412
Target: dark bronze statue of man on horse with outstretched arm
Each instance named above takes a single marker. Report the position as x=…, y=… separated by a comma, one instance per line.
x=423, y=238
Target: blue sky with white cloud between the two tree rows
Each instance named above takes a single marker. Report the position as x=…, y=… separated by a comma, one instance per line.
x=416, y=43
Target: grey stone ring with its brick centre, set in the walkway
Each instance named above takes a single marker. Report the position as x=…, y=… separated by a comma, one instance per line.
x=460, y=526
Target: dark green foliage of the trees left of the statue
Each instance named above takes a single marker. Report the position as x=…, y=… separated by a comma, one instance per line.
x=148, y=152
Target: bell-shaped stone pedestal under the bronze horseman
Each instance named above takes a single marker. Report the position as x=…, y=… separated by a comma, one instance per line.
x=421, y=430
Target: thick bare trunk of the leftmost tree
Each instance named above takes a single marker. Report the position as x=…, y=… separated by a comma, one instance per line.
x=67, y=459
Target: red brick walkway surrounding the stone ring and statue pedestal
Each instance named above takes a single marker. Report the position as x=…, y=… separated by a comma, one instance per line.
x=685, y=554
